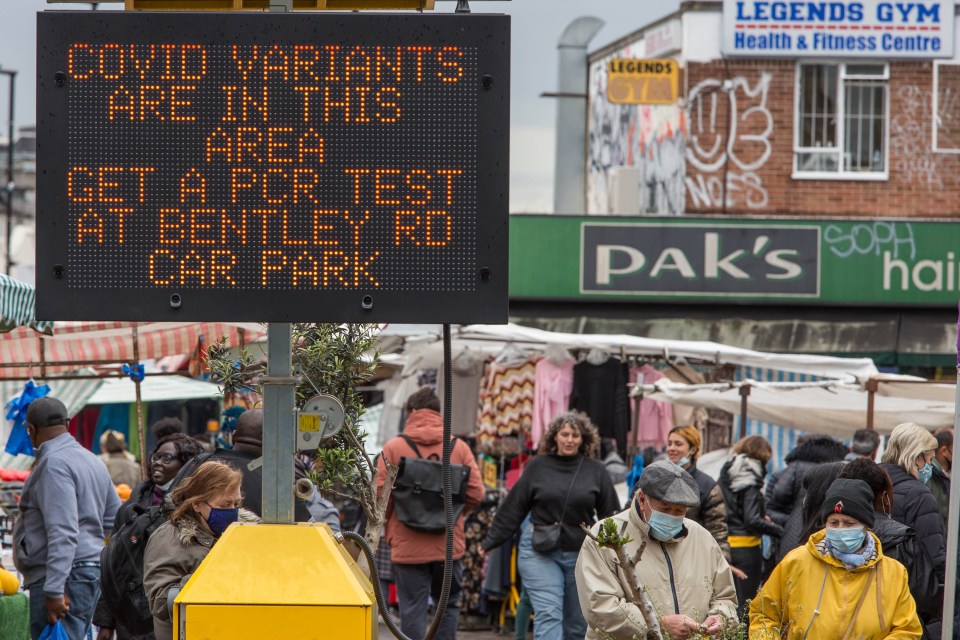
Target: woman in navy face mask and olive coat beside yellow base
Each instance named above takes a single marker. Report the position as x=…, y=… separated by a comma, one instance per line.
x=205, y=504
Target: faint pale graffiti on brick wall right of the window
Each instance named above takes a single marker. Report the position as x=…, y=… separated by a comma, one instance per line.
x=911, y=134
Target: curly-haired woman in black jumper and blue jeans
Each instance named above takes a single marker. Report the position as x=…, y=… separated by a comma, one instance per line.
x=563, y=486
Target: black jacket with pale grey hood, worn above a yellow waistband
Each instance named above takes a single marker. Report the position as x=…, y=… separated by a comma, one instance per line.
x=740, y=480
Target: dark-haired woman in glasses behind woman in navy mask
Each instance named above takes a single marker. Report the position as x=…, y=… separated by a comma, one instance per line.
x=169, y=456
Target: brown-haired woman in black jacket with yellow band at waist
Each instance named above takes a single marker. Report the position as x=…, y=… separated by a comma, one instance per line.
x=741, y=481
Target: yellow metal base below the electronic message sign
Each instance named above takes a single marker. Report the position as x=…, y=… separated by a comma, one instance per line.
x=276, y=581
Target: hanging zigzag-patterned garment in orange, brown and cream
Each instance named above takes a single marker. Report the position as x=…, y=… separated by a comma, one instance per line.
x=506, y=406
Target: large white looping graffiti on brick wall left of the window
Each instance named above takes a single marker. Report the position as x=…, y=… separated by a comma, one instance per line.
x=713, y=155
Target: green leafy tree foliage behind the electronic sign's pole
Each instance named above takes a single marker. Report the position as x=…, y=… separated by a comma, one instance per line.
x=330, y=358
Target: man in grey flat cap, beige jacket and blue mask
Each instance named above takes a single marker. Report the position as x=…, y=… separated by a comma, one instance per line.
x=681, y=568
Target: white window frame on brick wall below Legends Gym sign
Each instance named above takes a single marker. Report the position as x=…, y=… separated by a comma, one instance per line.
x=842, y=75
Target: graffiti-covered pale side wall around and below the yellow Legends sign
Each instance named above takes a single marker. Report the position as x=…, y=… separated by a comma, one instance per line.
x=647, y=140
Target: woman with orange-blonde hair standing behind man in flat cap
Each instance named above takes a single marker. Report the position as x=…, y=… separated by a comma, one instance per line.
x=683, y=449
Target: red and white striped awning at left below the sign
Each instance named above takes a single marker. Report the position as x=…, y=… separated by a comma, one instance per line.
x=77, y=344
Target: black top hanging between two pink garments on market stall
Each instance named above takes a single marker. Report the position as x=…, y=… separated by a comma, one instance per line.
x=600, y=391
